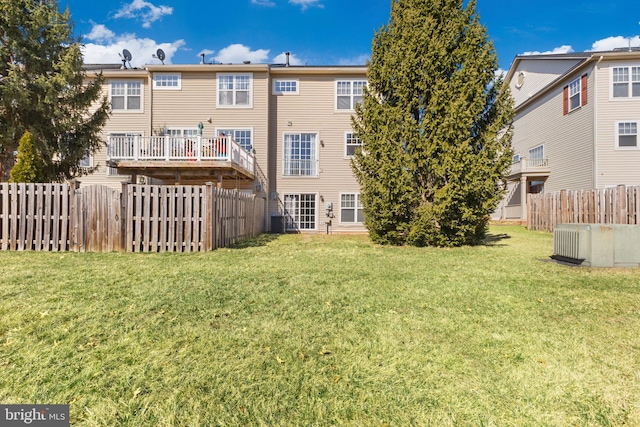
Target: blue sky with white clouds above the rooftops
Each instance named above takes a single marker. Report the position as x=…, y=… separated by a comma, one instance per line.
x=326, y=32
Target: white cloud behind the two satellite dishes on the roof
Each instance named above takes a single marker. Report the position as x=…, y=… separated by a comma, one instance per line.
x=108, y=46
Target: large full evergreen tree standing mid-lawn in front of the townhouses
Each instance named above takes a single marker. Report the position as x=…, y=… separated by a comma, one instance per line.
x=434, y=125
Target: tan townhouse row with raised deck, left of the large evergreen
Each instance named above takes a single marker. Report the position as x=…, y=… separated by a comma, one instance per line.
x=278, y=131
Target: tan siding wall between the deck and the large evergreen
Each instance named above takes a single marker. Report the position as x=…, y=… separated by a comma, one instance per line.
x=313, y=110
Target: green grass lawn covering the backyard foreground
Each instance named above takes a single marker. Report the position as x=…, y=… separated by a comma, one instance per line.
x=323, y=330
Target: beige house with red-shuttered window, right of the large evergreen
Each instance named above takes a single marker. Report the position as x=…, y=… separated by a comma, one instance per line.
x=576, y=124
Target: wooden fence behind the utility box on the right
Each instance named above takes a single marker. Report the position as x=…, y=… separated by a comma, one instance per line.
x=619, y=205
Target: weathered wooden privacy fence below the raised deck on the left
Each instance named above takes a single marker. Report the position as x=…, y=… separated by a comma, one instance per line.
x=138, y=218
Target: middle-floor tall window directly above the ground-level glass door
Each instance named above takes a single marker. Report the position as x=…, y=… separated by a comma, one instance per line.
x=300, y=154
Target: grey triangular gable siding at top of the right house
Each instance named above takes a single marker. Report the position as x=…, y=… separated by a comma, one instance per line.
x=538, y=74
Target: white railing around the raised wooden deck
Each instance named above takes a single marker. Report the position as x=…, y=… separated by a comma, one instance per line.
x=170, y=148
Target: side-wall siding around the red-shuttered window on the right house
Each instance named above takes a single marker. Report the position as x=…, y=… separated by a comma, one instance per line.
x=568, y=139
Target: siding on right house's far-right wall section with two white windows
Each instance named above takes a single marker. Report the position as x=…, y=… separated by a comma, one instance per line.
x=615, y=166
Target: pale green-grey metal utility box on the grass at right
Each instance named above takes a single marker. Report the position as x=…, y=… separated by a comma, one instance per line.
x=597, y=245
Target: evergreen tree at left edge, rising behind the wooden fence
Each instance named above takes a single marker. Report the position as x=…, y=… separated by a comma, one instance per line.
x=44, y=90
